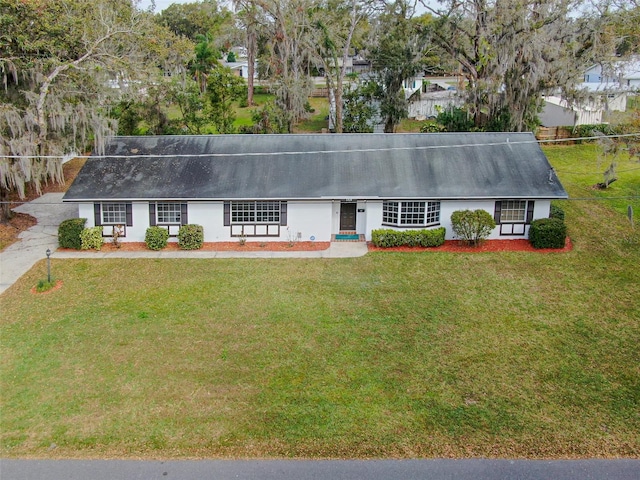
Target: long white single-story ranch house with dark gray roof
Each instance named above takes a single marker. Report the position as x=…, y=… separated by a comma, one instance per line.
x=311, y=187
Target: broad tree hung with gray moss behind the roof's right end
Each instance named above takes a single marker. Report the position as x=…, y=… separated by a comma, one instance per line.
x=513, y=51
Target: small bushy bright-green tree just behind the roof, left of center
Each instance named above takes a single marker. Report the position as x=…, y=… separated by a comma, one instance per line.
x=224, y=87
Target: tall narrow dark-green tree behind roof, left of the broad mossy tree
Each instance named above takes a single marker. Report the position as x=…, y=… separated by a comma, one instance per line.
x=396, y=56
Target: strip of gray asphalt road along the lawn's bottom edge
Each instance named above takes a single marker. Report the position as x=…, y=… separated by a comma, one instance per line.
x=320, y=469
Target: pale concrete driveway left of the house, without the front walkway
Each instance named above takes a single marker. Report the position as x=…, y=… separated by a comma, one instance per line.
x=18, y=258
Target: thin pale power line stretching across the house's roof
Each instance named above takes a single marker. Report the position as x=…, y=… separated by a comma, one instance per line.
x=325, y=152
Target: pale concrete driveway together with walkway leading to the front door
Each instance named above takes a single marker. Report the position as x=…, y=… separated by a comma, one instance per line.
x=49, y=210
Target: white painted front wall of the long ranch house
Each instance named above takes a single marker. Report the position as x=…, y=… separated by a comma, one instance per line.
x=319, y=219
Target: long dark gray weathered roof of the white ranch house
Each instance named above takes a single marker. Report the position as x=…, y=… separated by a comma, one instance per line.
x=434, y=166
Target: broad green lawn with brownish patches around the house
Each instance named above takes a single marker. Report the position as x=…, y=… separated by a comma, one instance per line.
x=393, y=354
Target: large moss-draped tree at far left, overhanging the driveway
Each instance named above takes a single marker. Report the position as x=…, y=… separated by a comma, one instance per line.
x=63, y=64
